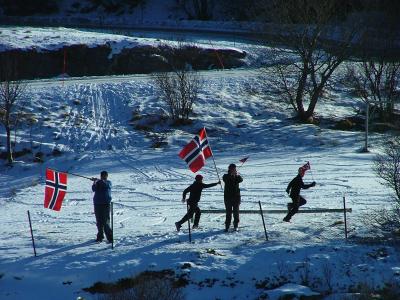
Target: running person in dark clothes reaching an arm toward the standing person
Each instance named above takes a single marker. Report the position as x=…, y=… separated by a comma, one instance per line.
x=195, y=190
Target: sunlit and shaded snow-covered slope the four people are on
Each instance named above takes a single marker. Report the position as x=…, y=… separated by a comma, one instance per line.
x=97, y=134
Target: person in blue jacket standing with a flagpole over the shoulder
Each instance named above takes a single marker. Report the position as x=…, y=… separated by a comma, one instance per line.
x=101, y=201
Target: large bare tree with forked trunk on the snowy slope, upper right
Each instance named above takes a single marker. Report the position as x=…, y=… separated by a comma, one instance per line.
x=306, y=27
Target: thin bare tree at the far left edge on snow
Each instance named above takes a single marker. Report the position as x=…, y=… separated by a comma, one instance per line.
x=11, y=92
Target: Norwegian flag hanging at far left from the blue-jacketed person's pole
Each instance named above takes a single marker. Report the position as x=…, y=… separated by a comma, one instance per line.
x=56, y=188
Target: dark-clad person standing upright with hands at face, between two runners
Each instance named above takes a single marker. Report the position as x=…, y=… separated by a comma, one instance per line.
x=232, y=196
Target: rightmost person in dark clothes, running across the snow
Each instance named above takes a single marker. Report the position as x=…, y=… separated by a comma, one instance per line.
x=293, y=189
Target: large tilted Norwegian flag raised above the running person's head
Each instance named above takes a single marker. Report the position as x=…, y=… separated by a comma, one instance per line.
x=197, y=151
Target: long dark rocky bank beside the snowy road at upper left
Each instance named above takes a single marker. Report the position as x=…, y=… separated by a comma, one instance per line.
x=84, y=61
